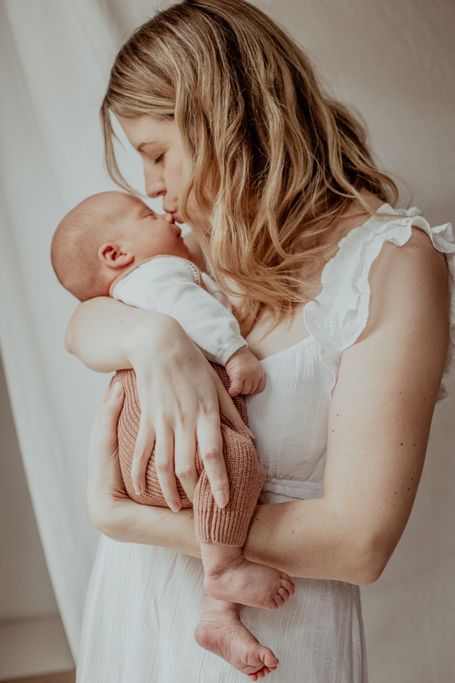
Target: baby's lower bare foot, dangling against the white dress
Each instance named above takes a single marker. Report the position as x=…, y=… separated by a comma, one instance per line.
x=220, y=631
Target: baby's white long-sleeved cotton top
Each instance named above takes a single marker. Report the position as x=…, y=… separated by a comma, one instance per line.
x=174, y=285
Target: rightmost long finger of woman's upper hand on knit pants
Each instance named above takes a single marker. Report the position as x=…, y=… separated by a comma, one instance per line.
x=211, y=452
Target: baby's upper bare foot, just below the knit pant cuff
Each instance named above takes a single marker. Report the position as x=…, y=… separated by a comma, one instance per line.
x=249, y=584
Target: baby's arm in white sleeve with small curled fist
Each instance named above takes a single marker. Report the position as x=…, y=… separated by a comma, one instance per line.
x=173, y=285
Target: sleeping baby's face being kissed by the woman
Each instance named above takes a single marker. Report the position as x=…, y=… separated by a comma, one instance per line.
x=145, y=233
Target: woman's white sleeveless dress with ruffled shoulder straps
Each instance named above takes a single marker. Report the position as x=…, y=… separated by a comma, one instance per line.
x=143, y=602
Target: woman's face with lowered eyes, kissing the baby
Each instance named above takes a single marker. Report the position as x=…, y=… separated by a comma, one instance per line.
x=159, y=143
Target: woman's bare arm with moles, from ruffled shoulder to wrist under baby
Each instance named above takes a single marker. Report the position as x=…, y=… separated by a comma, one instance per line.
x=379, y=422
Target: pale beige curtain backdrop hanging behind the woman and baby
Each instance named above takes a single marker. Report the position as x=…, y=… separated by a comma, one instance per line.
x=394, y=61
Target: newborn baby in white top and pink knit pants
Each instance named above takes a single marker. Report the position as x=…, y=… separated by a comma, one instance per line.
x=113, y=244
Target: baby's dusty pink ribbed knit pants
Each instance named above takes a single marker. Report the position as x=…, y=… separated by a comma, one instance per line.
x=227, y=526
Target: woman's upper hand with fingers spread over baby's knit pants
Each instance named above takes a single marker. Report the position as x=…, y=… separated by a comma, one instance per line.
x=181, y=397
